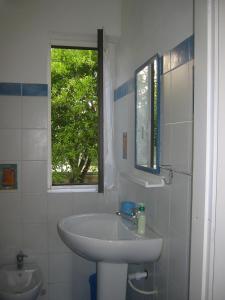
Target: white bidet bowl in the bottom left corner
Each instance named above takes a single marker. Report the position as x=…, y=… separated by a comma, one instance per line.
x=24, y=284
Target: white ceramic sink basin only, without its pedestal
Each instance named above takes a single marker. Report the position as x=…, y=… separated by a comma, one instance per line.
x=108, y=238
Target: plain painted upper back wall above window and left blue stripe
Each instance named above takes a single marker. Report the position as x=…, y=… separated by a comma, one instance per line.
x=26, y=27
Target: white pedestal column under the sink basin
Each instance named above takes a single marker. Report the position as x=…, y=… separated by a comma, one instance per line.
x=111, y=281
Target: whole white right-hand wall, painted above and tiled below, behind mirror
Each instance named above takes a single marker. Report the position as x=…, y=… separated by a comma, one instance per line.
x=150, y=27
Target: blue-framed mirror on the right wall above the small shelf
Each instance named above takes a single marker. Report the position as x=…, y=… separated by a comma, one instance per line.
x=147, y=116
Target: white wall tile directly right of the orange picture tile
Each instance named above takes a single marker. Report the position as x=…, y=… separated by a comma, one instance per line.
x=34, y=176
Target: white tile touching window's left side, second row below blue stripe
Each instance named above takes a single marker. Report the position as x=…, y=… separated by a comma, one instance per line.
x=34, y=144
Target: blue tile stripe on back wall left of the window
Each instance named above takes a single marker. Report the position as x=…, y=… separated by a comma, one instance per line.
x=23, y=89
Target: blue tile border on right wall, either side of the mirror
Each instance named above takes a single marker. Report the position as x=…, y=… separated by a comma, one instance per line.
x=174, y=58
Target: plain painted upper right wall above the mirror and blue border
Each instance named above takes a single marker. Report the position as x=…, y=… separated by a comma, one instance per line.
x=149, y=27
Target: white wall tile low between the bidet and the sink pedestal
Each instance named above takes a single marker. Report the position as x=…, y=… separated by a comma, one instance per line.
x=60, y=268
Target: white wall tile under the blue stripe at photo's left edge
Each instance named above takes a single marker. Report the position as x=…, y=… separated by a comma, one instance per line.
x=10, y=112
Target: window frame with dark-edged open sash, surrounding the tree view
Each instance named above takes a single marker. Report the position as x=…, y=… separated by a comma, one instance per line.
x=86, y=46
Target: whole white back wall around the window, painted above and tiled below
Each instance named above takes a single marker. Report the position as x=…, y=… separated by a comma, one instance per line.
x=28, y=216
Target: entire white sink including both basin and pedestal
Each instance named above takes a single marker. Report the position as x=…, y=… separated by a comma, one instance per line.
x=112, y=243
